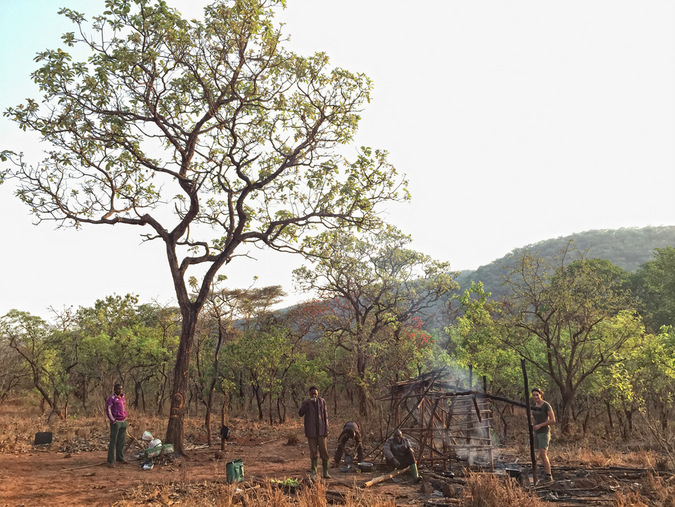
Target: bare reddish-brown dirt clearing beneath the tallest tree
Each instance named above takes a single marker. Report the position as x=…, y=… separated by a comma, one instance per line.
x=53, y=478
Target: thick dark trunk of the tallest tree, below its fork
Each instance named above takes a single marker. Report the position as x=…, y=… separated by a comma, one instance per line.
x=174, y=431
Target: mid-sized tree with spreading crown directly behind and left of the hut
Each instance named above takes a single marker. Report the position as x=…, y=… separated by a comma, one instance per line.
x=378, y=287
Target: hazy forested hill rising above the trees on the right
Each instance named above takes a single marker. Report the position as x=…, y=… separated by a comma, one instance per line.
x=628, y=248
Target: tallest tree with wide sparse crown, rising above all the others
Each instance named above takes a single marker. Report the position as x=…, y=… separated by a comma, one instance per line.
x=207, y=134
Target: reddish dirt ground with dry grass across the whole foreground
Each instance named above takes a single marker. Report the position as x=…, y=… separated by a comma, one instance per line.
x=72, y=470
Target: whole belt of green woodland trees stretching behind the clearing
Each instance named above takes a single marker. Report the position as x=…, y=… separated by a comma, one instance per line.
x=598, y=339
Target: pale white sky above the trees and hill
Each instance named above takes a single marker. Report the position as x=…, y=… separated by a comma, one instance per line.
x=515, y=122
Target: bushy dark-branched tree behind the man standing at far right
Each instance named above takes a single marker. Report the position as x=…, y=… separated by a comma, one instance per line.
x=567, y=316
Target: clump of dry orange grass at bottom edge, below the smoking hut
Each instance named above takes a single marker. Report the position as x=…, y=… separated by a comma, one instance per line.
x=489, y=490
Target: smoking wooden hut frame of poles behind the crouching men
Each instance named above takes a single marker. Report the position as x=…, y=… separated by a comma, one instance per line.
x=447, y=424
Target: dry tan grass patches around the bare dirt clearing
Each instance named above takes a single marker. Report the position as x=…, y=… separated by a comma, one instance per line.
x=91, y=434
